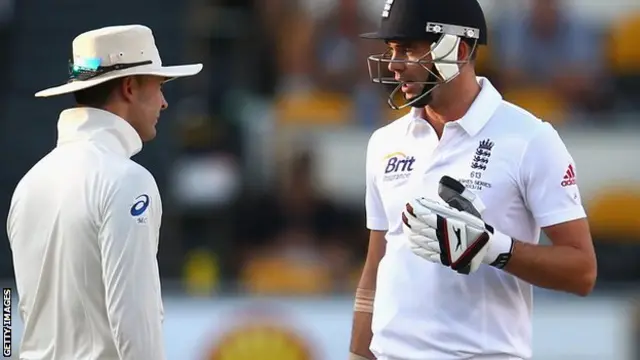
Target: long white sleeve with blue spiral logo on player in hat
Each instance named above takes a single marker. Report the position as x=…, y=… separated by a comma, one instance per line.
x=128, y=245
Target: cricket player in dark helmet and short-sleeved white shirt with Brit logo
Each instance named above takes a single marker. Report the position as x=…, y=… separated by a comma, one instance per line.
x=457, y=193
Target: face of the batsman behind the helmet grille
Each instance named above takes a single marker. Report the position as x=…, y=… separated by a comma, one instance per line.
x=406, y=67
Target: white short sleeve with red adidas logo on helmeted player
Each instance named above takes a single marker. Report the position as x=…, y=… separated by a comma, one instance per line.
x=549, y=180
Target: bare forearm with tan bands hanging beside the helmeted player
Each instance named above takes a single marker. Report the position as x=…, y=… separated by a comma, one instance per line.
x=363, y=308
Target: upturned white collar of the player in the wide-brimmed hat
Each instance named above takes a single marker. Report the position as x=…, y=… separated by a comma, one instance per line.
x=98, y=125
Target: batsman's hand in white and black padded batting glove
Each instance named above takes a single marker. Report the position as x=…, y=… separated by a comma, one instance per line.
x=440, y=233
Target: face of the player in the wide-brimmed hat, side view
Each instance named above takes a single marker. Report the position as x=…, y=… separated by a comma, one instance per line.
x=146, y=105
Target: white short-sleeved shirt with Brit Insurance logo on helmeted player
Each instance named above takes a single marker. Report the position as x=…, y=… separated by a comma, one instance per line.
x=523, y=173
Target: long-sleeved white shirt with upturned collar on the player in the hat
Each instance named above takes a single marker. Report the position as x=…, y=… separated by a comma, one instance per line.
x=83, y=229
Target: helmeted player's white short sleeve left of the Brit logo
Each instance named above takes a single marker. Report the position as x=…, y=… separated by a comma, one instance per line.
x=376, y=215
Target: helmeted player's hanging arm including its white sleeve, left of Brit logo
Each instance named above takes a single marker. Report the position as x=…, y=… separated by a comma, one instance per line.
x=376, y=222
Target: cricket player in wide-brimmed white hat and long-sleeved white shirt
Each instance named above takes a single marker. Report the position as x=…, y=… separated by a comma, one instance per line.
x=84, y=221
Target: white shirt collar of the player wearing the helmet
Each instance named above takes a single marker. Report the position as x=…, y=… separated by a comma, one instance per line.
x=481, y=110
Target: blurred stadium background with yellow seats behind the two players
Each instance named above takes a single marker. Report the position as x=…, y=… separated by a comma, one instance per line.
x=260, y=159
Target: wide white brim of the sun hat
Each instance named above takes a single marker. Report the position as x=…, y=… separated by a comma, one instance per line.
x=170, y=72
